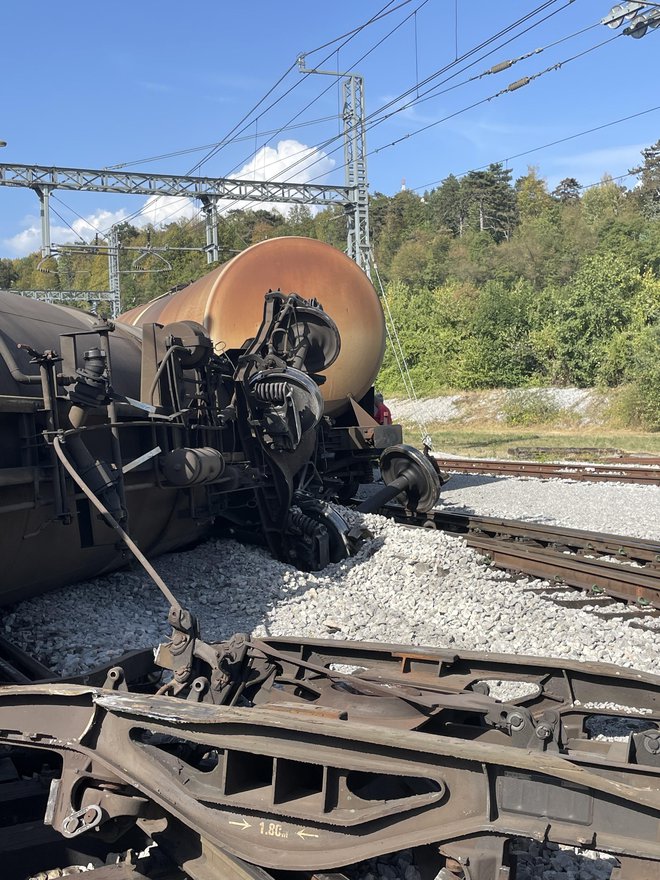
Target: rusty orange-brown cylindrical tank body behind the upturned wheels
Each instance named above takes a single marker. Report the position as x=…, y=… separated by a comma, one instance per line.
x=229, y=302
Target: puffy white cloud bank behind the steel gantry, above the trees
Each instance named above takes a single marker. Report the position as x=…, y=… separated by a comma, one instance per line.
x=290, y=160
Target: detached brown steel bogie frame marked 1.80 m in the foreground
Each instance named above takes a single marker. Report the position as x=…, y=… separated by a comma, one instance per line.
x=255, y=759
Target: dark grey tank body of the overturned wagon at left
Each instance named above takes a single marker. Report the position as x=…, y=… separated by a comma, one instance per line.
x=39, y=550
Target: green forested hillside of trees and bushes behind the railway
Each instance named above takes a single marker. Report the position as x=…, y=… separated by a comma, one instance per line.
x=490, y=282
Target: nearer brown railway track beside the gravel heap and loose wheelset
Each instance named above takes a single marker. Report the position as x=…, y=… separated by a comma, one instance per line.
x=567, y=558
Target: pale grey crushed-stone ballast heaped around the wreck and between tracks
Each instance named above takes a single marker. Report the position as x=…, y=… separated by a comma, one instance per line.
x=405, y=585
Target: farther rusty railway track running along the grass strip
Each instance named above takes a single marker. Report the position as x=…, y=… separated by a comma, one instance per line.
x=640, y=474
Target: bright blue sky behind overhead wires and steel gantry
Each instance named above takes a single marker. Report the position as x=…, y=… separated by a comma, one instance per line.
x=94, y=86
